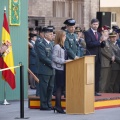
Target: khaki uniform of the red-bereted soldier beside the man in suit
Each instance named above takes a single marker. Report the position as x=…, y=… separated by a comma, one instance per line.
x=106, y=56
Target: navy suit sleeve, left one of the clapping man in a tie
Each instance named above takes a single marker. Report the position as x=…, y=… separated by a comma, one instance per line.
x=89, y=42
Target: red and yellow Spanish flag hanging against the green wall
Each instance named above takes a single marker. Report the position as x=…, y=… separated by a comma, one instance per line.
x=6, y=60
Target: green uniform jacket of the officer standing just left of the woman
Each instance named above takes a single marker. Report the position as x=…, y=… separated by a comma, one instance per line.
x=44, y=53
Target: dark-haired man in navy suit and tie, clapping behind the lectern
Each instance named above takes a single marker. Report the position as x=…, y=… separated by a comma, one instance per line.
x=93, y=45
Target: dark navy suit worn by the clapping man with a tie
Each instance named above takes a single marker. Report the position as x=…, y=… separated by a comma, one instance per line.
x=93, y=48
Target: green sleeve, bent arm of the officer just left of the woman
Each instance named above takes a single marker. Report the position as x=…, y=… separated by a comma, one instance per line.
x=40, y=49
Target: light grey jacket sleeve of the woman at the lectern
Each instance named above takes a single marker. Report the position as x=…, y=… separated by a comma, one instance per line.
x=57, y=56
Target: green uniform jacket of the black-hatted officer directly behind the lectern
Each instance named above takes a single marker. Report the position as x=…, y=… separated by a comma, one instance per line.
x=71, y=45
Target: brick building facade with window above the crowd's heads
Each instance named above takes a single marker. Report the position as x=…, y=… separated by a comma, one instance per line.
x=54, y=12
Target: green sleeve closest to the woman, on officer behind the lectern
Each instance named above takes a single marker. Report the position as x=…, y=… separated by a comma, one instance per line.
x=70, y=53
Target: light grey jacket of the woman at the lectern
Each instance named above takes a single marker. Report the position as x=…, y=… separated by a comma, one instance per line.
x=58, y=57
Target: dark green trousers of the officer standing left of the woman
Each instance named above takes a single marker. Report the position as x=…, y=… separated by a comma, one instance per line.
x=46, y=86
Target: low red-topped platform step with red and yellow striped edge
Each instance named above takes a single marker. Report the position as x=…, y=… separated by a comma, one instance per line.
x=106, y=100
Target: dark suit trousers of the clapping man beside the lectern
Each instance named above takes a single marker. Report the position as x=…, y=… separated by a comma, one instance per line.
x=97, y=75
